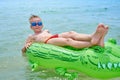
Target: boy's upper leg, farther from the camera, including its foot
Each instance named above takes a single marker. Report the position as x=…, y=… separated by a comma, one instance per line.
x=84, y=37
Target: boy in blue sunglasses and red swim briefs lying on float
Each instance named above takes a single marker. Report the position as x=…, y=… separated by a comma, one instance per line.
x=71, y=38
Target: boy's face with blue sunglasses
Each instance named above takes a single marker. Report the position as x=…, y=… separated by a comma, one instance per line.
x=36, y=24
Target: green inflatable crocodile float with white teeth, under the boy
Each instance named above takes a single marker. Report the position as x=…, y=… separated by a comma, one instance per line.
x=96, y=61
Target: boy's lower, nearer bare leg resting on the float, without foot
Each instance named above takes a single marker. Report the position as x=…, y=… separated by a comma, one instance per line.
x=69, y=42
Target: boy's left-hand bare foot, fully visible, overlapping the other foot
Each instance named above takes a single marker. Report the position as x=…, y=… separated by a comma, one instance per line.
x=98, y=34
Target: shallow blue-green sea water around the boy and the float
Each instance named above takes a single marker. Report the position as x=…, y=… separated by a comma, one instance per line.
x=58, y=16
